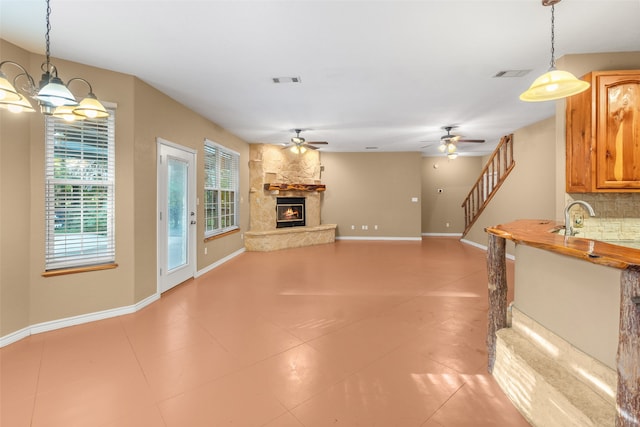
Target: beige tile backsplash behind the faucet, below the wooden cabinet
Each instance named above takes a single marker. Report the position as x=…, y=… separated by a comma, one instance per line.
x=617, y=216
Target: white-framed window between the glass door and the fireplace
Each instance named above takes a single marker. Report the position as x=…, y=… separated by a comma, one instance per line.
x=220, y=189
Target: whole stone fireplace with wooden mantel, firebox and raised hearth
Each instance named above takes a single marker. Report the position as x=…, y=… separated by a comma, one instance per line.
x=276, y=174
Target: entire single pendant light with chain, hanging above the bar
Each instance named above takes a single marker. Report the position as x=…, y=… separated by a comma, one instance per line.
x=554, y=84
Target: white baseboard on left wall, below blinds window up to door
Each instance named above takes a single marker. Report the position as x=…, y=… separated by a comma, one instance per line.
x=75, y=320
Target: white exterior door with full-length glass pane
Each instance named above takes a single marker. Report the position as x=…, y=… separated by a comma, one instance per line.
x=176, y=214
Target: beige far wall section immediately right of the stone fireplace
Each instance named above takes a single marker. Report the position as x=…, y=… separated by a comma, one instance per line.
x=372, y=189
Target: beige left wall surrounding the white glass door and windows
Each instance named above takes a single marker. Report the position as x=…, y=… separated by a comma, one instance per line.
x=142, y=115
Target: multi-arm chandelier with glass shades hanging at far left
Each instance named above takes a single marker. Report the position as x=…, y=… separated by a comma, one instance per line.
x=52, y=95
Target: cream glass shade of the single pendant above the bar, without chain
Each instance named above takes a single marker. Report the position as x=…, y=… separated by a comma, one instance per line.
x=554, y=84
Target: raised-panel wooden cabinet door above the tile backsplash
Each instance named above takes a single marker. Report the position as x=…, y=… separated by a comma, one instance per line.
x=618, y=139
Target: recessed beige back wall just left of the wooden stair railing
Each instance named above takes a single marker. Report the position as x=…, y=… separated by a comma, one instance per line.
x=455, y=178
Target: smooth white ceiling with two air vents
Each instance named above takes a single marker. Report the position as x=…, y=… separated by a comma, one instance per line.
x=386, y=74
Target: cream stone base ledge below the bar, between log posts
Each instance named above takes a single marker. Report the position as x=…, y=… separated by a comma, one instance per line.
x=550, y=382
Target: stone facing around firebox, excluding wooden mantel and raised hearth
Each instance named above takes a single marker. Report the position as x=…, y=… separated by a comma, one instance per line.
x=272, y=164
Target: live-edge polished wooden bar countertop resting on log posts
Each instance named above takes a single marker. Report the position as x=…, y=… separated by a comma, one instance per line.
x=539, y=234
